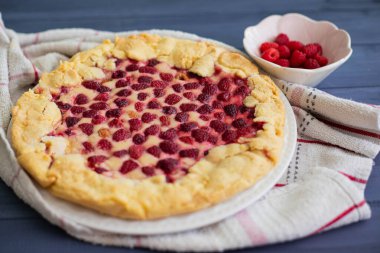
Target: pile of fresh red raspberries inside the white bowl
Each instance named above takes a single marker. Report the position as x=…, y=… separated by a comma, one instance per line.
x=292, y=53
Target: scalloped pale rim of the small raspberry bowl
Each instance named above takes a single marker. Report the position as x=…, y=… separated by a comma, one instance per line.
x=321, y=69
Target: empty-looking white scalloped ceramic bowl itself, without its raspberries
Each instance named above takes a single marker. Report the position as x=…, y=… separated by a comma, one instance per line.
x=336, y=45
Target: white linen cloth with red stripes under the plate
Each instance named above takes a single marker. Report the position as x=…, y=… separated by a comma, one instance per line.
x=323, y=188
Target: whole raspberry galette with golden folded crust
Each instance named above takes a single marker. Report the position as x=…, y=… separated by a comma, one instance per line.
x=149, y=126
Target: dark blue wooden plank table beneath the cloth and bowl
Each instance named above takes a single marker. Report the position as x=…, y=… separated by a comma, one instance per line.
x=23, y=230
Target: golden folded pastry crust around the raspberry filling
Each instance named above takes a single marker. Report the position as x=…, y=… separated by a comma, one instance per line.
x=224, y=172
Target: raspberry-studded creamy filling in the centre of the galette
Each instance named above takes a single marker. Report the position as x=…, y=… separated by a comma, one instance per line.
x=147, y=118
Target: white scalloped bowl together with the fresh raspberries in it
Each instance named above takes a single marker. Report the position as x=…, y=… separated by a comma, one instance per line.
x=296, y=48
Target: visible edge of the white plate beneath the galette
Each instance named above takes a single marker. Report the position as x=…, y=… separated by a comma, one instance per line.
x=100, y=222
